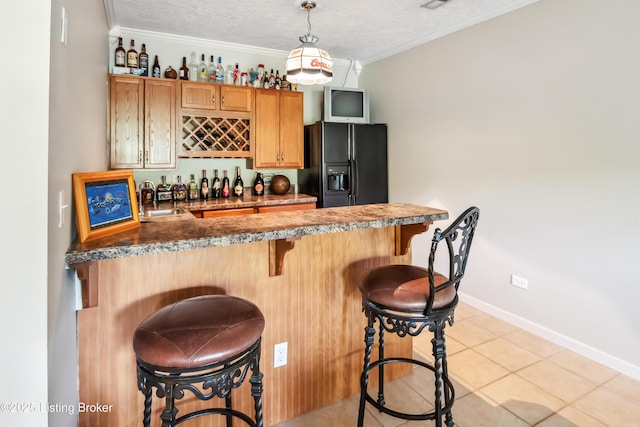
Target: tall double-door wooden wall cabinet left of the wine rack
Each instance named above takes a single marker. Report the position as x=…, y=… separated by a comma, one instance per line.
x=142, y=115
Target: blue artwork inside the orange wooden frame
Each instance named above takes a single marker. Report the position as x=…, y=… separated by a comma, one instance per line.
x=108, y=203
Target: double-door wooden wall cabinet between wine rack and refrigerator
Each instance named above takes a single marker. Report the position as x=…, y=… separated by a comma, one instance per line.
x=279, y=130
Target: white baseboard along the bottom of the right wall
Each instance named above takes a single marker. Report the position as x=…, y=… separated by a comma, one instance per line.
x=582, y=349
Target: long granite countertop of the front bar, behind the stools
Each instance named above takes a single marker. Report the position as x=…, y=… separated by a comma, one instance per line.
x=160, y=237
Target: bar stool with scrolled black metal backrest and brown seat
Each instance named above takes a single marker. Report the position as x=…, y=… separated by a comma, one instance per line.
x=406, y=299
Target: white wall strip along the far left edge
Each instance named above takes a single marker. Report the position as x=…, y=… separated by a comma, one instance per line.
x=24, y=118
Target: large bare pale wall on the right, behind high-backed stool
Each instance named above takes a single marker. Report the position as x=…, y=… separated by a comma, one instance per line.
x=533, y=117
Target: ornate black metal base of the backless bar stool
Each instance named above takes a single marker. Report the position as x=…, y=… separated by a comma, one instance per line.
x=205, y=383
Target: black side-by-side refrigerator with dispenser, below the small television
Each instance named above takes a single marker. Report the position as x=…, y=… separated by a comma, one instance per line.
x=345, y=164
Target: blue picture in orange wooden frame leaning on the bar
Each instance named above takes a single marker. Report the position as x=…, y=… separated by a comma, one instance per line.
x=105, y=203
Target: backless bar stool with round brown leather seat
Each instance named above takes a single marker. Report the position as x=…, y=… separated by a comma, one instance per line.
x=205, y=345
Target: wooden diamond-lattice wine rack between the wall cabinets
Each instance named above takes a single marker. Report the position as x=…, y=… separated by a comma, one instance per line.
x=204, y=136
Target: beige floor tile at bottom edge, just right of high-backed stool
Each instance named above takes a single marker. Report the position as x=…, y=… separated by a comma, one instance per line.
x=476, y=410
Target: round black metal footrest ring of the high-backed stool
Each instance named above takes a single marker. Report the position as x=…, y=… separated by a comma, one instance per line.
x=447, y=390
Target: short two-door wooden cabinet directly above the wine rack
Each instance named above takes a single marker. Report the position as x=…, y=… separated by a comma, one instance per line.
x=211, y=96
